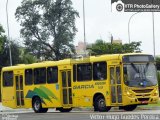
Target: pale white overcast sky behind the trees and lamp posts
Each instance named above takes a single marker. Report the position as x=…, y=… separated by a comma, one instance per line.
x=100, y=23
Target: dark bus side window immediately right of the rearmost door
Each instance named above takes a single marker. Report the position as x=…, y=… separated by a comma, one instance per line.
x=28, y=77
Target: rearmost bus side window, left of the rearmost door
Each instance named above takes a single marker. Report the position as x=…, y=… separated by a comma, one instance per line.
x=8, y=79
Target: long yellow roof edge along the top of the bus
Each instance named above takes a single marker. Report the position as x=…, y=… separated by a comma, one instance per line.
x=70, y=61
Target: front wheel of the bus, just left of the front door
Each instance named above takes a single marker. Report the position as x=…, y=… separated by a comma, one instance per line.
x=100, y=104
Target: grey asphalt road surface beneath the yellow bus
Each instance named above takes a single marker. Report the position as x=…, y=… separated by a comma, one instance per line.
x=83, y=115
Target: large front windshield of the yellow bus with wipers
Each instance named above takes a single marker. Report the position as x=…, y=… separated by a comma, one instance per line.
x=140, y=75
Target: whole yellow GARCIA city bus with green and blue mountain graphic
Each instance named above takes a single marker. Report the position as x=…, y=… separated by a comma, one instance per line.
x=102, y=82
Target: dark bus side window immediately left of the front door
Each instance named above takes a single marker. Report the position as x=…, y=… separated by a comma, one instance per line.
x=99, y=71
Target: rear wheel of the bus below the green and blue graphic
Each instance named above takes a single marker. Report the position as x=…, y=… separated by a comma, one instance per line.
x=37, y=106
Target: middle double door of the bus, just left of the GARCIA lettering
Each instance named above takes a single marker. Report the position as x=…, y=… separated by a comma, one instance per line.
x=66, y=88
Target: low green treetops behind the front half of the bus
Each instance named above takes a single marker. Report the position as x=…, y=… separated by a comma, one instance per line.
x=100, y=47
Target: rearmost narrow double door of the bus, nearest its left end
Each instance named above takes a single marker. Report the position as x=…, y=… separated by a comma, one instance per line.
x=19, y=90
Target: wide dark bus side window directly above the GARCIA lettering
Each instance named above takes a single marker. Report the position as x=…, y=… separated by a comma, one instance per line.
x=84, y=72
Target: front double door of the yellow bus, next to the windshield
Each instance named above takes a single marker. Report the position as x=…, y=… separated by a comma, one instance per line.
x=115, y=85
